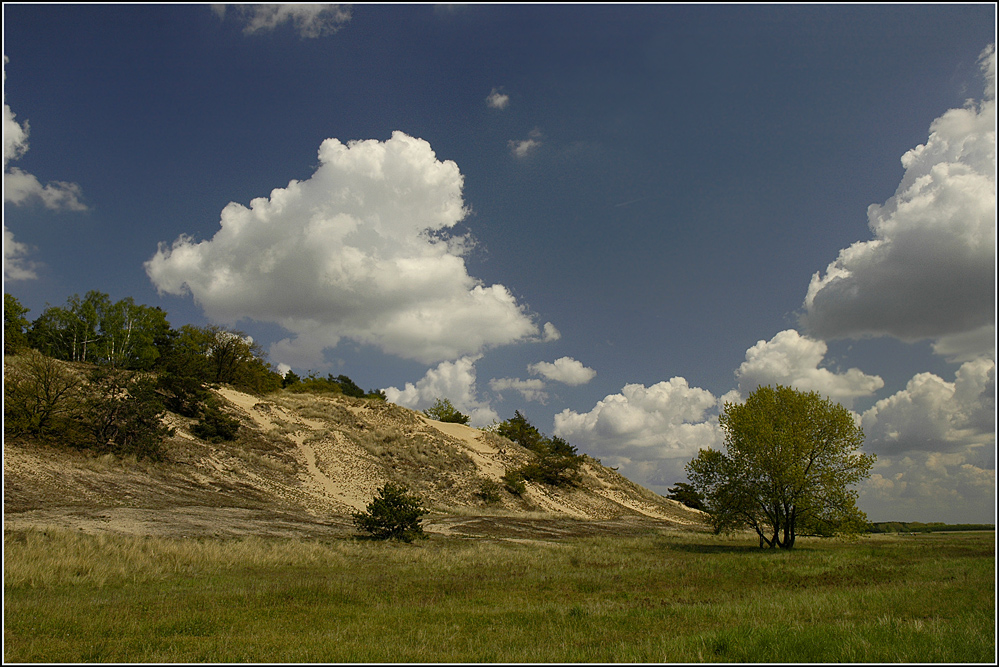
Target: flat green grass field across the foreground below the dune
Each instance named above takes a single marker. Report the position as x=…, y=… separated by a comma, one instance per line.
x=674, y=597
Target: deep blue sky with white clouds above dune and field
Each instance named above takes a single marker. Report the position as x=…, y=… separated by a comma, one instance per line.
x=635, y=213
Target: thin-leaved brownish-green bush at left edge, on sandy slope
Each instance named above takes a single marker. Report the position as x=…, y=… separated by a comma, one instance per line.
x=38, y=393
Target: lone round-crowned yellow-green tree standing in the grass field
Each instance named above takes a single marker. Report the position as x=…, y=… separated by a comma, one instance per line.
x=790, y=461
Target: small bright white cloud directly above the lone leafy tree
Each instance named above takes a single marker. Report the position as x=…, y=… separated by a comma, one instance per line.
x=793, y=360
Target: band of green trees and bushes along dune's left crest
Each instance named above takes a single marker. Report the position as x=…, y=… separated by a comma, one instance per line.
x=100, y=375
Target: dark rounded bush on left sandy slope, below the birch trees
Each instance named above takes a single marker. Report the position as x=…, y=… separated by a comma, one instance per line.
x=122, y=412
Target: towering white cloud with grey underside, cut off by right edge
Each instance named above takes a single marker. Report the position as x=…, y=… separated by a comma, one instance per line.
x=929, y=271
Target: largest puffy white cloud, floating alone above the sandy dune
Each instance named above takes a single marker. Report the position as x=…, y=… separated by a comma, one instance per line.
x=357, y=251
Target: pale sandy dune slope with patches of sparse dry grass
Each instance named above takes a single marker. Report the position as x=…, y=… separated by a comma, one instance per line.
x=301, y=465
